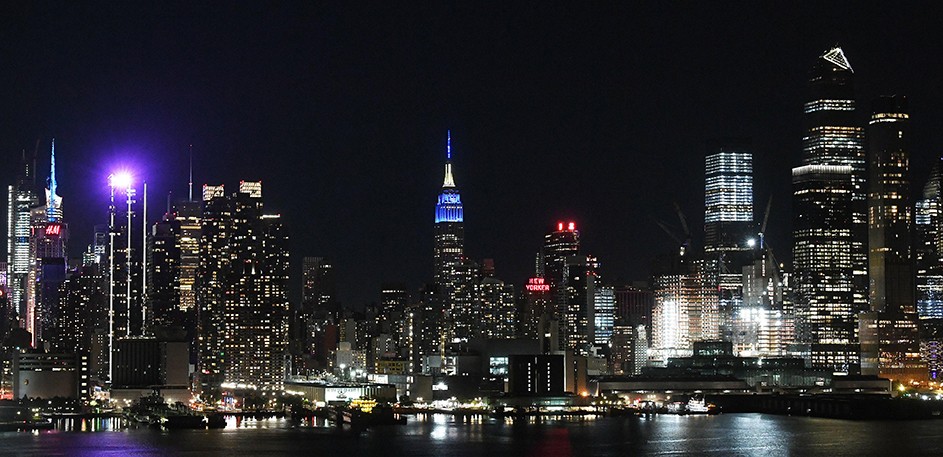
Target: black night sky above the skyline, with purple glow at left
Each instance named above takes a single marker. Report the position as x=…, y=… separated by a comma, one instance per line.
x=591, y=112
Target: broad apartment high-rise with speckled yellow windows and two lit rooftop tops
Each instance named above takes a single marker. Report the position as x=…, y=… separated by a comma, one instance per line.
x=242, y=301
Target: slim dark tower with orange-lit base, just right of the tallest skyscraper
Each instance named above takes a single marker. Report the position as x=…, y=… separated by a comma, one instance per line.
x=889, y=334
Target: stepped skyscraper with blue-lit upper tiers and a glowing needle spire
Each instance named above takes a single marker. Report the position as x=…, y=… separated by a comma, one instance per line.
x=451, y=275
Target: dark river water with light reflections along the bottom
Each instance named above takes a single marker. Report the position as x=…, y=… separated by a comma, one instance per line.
x=724, y=435
